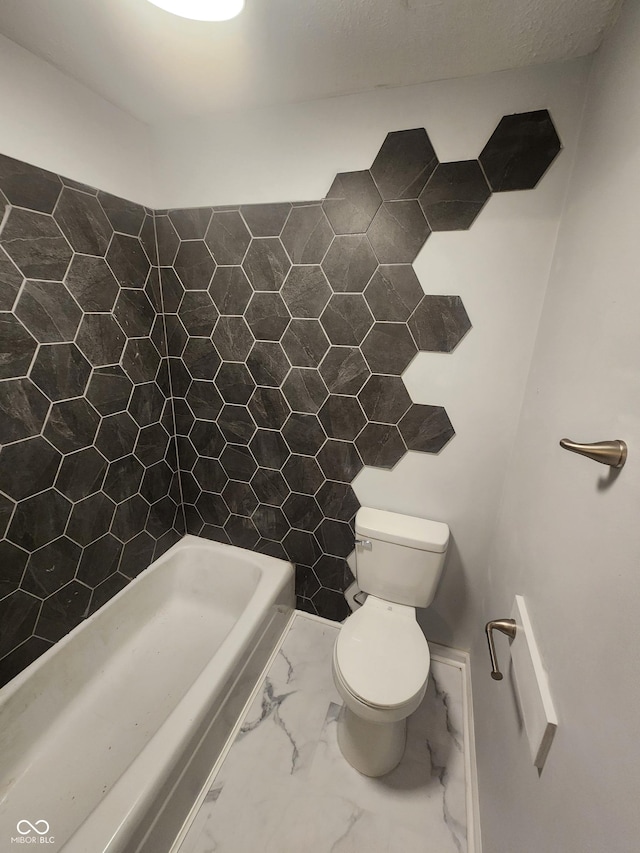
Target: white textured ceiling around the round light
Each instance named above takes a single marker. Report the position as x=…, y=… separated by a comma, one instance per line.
x=157, y=66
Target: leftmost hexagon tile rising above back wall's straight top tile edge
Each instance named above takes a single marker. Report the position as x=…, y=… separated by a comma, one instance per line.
x=352, y=202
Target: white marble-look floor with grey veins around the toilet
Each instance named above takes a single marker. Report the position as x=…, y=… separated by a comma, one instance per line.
x=284, y=786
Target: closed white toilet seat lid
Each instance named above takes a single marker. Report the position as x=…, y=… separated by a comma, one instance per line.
x=382, y=656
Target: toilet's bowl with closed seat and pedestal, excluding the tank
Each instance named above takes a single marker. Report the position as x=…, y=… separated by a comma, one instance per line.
x=380, y=669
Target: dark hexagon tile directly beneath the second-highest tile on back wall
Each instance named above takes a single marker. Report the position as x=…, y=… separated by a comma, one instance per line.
x=398, y=232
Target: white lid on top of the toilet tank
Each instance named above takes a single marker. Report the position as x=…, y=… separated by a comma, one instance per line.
x=402, y=529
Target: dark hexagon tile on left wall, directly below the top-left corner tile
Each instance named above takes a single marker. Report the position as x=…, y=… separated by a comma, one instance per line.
x=36, y=245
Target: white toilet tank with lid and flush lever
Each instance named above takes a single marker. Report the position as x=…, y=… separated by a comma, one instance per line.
x=404, y=560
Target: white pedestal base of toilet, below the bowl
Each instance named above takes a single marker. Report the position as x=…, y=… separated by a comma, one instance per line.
x=374, y=749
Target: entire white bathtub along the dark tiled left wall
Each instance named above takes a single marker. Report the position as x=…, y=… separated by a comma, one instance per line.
x=109, y=737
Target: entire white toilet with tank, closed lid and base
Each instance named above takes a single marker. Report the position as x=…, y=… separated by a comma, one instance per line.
x=381, y=657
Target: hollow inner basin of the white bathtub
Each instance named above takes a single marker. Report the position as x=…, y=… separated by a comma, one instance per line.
x=102, y=693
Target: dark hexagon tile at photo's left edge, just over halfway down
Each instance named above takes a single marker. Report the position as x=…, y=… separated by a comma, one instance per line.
x=28, y=467
